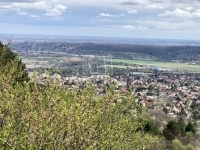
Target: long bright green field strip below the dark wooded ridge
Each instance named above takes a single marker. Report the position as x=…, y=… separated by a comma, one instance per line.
x=173, y=65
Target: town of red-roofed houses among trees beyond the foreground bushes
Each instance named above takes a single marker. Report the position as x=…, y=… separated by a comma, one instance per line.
x=174, y=94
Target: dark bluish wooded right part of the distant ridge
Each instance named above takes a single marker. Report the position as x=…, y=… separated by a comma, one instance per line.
x=161, y=53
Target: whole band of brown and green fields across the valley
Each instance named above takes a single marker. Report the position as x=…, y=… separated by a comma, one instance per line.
x=62, y=61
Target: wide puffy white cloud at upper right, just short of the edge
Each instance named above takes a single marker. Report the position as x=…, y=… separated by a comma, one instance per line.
x=176, y=13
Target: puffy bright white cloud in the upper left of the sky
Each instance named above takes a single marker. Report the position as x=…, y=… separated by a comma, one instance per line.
x=58, y=10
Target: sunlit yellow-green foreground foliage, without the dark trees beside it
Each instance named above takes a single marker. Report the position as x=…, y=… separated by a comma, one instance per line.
x=52, y=117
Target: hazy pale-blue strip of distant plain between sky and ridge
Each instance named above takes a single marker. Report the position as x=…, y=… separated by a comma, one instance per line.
x=16, y=38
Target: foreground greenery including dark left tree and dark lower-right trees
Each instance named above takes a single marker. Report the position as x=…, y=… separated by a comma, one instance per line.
x=50, y=116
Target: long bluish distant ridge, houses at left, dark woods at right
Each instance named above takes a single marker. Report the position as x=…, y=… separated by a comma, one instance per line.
x=185, y=53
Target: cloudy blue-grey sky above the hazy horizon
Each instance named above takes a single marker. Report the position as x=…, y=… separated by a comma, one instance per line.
x=160, y=19
